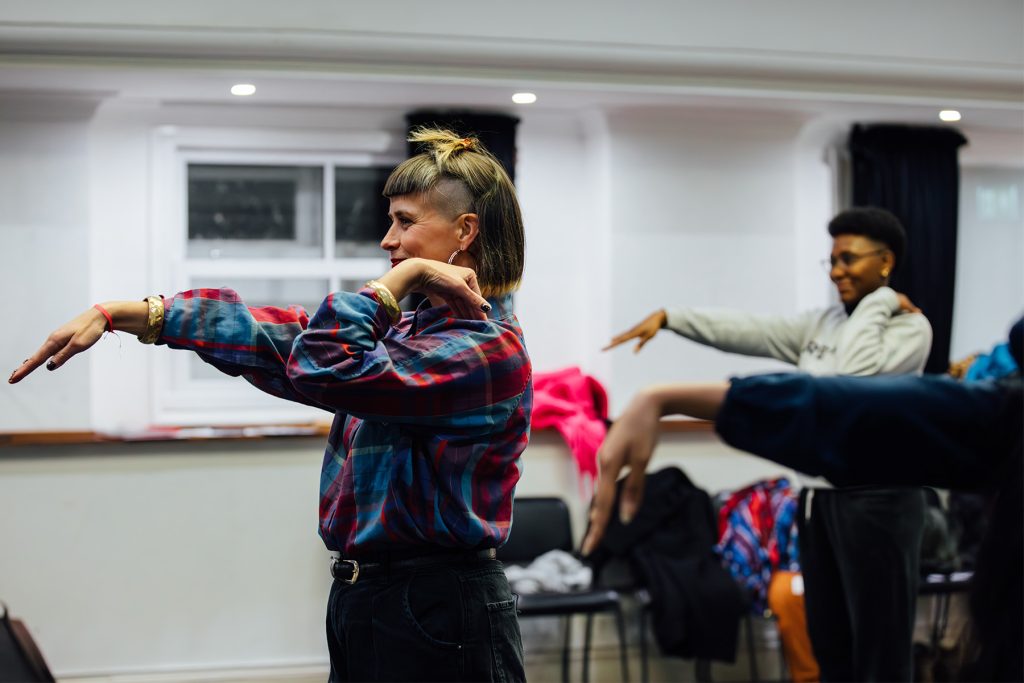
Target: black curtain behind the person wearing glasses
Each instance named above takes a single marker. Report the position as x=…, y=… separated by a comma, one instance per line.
x=914, y=173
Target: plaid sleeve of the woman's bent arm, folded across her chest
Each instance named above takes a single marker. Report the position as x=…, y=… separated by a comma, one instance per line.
x=465, y=375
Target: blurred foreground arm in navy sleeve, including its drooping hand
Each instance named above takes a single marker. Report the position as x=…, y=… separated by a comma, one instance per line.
x=855, y=431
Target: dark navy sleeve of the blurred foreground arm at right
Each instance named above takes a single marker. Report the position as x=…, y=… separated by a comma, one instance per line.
x=876, y=431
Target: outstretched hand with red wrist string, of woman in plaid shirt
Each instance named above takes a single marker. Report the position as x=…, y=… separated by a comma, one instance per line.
x=78, y=335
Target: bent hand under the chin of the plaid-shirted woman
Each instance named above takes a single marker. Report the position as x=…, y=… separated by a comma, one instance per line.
x=453, y=284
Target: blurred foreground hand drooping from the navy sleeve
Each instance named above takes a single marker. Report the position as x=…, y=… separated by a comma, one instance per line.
x=630, y=444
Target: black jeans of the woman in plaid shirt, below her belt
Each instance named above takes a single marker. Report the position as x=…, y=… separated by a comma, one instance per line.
x=441, y=623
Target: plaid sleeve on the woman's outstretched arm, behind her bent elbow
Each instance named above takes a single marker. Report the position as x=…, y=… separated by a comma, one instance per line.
x=250, y=343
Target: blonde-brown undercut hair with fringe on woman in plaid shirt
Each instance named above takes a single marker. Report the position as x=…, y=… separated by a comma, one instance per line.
x=458, y=176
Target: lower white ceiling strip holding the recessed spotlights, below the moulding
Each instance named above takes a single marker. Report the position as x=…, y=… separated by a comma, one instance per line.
x=179, y=84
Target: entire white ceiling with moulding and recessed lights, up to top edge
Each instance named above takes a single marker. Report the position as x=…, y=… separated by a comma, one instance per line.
x=871, y=61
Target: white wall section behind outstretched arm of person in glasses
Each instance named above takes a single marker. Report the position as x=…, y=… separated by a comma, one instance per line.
x=703, y=215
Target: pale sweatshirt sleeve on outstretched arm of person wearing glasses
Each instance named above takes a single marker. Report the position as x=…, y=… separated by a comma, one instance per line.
x=736, y=332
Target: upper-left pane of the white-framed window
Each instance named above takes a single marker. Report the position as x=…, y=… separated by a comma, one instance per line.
x=255, y=211
